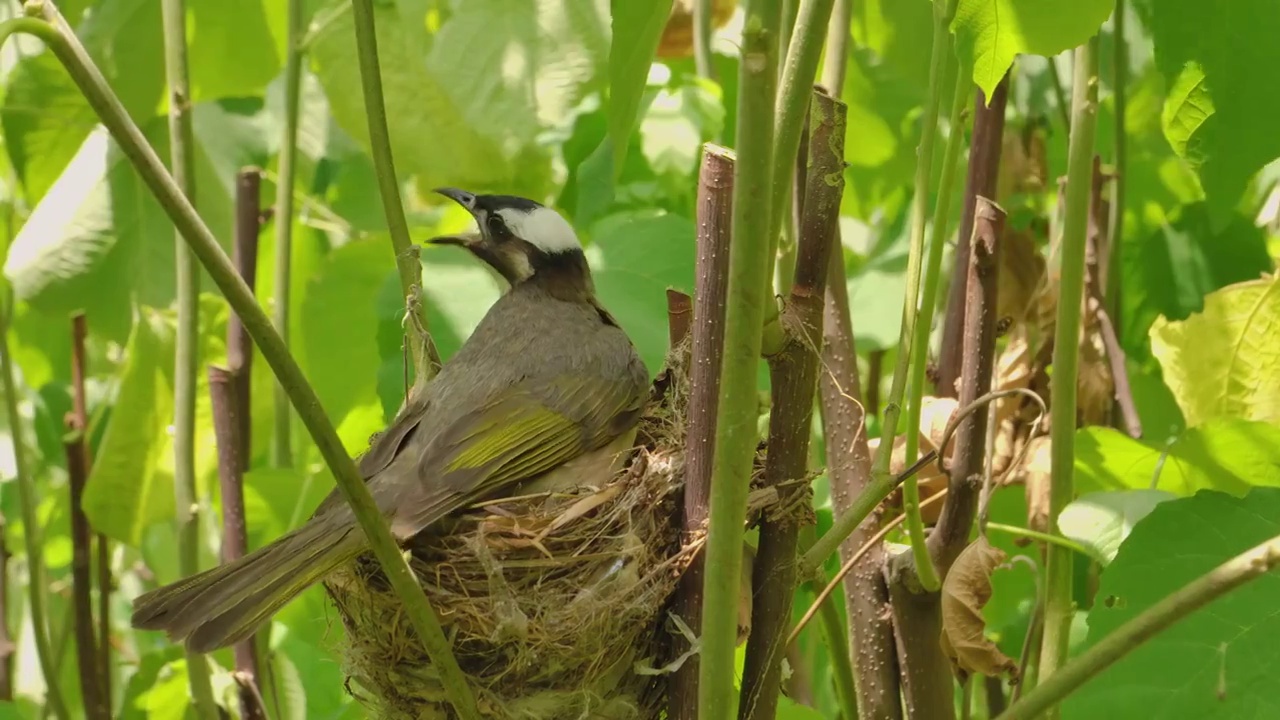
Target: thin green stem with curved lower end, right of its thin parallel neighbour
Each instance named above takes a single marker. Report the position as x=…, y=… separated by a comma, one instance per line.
x=927, y=575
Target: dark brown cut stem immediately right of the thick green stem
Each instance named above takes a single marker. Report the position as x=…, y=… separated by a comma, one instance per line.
x=794, y=375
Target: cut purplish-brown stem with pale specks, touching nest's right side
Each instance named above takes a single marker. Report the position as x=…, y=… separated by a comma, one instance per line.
x=715, y=221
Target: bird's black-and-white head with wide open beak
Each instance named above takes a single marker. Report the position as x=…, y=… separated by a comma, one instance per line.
x=522, y=240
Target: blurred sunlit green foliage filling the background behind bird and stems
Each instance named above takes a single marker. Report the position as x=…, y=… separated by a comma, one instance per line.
x=557, y=101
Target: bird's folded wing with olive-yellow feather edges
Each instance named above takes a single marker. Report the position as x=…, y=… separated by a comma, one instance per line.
x=527, y=431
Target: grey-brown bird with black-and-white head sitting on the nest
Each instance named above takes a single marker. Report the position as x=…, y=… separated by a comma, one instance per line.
x=546, y=394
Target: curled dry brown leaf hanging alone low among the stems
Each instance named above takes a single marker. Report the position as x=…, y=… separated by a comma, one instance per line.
x=964, y=594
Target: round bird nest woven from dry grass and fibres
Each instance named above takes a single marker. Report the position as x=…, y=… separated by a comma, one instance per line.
x=555, y=604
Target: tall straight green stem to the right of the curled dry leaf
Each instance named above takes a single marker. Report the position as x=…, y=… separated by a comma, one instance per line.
x=1063, y=385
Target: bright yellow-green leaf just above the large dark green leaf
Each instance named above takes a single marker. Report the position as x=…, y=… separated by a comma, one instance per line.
x=1228, y=455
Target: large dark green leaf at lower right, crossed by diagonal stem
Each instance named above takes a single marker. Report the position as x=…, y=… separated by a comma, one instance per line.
x=1218, y=663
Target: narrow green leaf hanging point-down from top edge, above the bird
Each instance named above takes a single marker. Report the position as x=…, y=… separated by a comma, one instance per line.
x=638, y=26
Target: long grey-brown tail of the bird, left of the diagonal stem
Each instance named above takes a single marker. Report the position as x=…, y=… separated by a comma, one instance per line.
x=227, y=604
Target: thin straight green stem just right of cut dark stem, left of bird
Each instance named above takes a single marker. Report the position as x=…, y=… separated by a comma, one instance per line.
x=282, y=439
